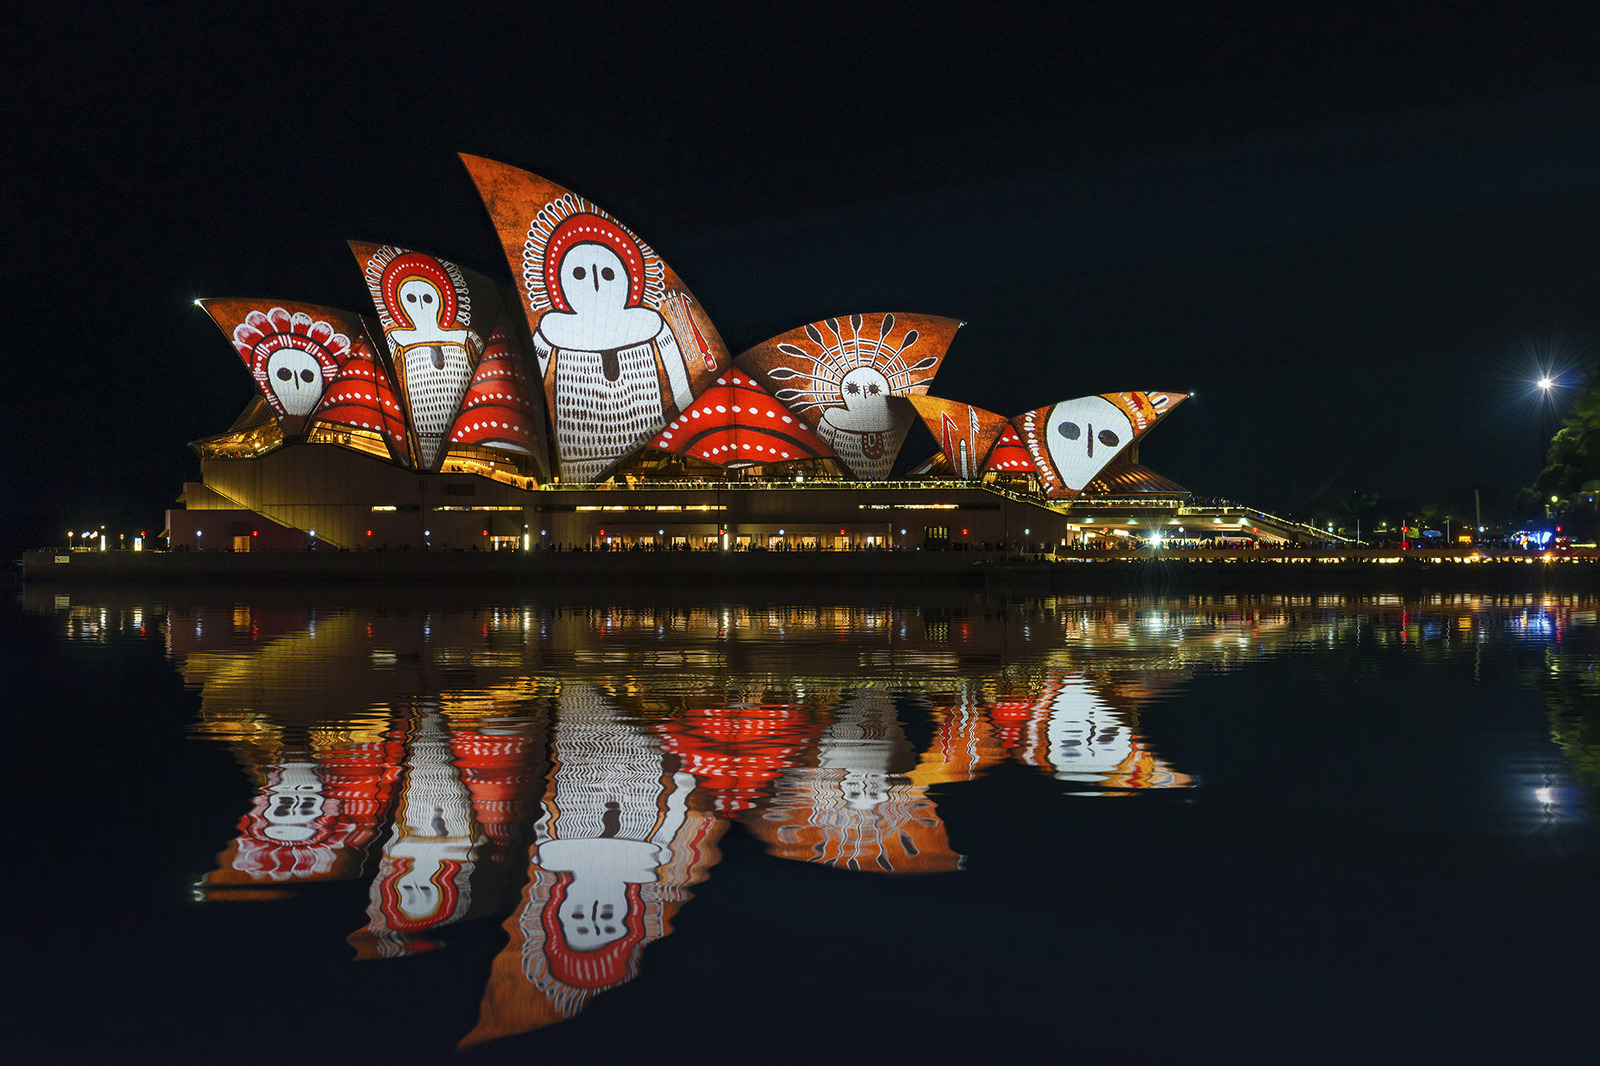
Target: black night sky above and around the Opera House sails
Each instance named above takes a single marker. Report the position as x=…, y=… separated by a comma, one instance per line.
x=1354, y=236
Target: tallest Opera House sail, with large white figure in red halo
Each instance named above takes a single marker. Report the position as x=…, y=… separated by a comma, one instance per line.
x=620, y=342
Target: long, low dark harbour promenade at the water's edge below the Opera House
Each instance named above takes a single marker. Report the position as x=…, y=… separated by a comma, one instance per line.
x=1236, y=569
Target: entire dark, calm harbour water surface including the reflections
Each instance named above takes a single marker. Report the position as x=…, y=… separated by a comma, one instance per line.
x=1274, y=830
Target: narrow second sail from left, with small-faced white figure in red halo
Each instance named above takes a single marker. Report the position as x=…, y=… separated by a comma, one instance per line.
x=426, y=310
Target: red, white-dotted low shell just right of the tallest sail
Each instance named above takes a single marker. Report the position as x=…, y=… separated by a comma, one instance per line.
x=738, y=423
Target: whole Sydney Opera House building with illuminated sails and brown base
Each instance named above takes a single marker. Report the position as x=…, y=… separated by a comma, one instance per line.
x=593, y=404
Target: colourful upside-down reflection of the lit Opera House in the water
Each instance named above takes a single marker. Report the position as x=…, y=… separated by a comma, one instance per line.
x=572, y=771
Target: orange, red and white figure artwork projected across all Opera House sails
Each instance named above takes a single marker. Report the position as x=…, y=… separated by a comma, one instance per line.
x=610, y=356
